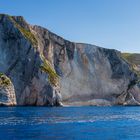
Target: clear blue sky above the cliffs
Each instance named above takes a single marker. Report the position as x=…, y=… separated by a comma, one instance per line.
x=111, y=24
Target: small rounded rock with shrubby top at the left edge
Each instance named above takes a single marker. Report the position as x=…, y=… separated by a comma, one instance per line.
x=7, y=92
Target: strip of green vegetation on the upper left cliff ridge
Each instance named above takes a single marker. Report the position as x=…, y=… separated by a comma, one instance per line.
x=27, y=33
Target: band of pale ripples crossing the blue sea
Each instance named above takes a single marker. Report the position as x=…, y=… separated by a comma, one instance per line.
x=59, y=119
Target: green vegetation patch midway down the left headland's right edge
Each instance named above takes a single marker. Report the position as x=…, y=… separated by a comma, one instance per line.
x=46, y=67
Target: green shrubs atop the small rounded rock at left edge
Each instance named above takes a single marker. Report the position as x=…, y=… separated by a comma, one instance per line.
x=4, y=81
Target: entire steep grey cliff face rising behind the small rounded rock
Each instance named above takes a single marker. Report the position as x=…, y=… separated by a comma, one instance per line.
x=46, y=69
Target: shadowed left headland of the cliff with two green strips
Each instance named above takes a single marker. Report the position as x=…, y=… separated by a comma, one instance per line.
x=21, y=59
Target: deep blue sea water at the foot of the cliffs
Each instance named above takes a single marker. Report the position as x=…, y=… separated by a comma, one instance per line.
x=70, y=123
